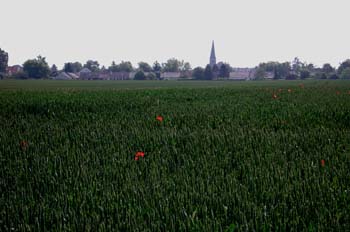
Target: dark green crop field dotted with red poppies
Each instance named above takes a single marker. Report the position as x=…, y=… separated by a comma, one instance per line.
x=174, y=156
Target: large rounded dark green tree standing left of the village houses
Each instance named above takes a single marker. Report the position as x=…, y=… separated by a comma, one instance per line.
x=37, y=68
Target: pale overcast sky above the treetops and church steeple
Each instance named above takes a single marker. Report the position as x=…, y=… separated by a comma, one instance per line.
x=246, y=32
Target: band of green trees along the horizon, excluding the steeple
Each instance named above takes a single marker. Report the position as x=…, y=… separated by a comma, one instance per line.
x=38, y=68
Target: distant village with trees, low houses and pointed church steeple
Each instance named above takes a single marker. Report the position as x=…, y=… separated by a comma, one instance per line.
x=173, y=69
